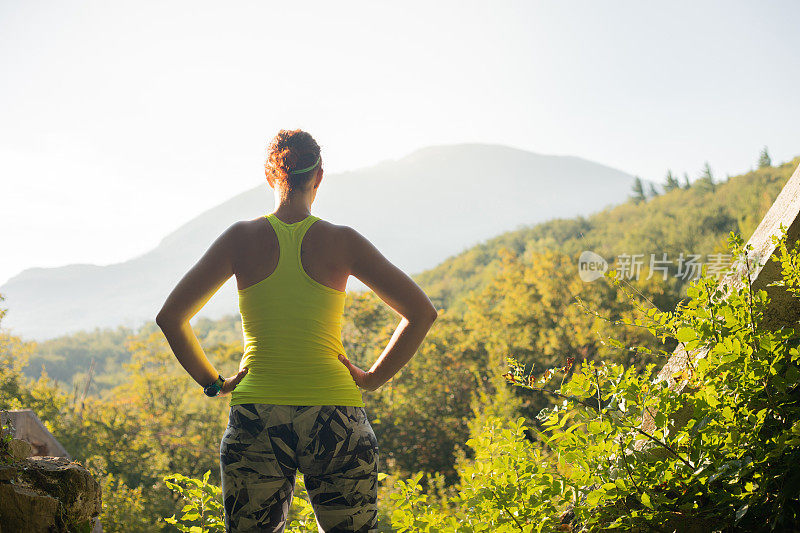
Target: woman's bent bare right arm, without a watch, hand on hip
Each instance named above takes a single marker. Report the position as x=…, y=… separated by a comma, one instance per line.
x=399, y=292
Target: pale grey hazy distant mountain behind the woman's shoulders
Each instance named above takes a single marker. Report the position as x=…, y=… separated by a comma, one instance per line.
x=418, y=210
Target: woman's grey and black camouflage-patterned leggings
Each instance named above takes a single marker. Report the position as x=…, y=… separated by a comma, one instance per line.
x=333, y=446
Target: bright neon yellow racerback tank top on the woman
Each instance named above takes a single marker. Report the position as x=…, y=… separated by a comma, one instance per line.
x=292, y=327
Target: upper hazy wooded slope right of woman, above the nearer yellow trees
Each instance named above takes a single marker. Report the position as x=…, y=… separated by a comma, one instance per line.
x=684, y=218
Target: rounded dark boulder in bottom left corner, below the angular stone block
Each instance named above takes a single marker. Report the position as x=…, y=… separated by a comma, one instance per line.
x=48, y=494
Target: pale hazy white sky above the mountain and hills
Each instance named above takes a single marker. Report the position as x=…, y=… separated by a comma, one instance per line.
x=119, y=121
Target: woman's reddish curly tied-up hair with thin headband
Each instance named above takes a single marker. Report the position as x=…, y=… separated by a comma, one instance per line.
x=291, y=150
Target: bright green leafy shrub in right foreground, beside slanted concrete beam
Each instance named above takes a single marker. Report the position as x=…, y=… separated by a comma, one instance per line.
x=731, y=466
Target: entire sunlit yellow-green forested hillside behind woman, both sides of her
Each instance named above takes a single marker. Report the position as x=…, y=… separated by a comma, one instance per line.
x=516, y=295
